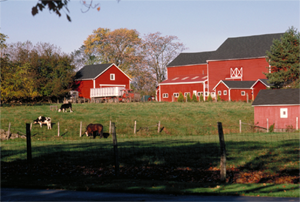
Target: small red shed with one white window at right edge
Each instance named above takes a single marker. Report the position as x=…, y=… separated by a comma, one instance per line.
x=280, y=107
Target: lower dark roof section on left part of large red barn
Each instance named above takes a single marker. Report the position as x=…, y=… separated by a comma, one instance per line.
x=190, y=59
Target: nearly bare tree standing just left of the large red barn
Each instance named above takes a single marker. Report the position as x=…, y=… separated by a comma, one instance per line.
x=159, y=51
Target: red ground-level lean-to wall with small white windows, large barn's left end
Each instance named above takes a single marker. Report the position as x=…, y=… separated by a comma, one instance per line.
x=170, y=89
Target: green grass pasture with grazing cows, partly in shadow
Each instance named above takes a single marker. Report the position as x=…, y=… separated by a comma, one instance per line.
x=183, y=157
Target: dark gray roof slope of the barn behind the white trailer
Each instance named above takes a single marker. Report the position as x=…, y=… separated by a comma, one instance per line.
x=91, y=71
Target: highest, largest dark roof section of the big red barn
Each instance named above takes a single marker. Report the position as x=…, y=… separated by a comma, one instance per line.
x=245, y=47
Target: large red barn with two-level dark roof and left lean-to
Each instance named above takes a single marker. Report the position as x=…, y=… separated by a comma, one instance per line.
x=237, y=59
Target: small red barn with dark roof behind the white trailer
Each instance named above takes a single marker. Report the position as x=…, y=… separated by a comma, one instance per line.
x=100, y=76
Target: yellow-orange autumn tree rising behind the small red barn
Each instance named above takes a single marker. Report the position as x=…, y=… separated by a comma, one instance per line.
x=119, y=46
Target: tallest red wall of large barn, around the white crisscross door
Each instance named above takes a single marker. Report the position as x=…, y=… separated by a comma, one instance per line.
x=220, y=70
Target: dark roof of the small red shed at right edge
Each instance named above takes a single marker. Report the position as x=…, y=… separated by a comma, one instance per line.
x=277, y=97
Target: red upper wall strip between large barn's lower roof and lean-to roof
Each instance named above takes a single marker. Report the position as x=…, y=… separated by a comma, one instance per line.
x=187, y=70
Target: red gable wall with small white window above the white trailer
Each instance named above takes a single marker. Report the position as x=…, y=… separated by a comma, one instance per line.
x=120, y=78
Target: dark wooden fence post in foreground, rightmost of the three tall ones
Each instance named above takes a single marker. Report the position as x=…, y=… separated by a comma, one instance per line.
x=223, y=153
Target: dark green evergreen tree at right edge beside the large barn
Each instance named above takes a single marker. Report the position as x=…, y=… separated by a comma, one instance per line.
x=284, y=60
